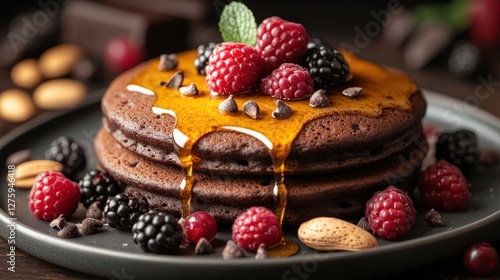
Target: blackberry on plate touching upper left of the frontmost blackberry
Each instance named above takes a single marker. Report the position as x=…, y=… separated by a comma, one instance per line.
x=122, y=210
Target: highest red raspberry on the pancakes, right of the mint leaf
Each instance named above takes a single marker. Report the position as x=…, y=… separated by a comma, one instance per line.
x=280, y=41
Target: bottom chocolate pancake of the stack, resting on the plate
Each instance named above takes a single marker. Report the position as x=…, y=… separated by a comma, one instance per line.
x=341, y=194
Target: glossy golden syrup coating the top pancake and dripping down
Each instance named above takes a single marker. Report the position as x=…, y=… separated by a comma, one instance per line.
x=198, y=115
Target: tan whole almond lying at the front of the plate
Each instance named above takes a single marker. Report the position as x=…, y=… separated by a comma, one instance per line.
x=331, y=234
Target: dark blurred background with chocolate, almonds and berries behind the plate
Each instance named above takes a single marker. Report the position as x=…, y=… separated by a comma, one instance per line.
x=448, y=46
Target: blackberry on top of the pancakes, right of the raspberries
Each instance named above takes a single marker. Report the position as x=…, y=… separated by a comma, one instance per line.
x=325, y=64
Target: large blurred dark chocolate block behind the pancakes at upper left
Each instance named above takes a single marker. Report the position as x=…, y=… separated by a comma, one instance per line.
x=93, y=24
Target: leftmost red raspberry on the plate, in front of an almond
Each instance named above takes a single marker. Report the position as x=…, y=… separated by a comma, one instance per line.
x=53, y=194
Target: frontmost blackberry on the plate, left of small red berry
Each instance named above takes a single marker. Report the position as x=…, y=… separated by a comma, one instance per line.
x=158, y=232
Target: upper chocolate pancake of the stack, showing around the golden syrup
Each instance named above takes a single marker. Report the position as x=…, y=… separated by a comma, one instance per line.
x=326, y=144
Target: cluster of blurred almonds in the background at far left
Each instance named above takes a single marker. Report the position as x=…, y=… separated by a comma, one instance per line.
x=54, y=81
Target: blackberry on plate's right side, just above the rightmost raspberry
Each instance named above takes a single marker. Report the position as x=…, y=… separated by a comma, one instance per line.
x=459, y=148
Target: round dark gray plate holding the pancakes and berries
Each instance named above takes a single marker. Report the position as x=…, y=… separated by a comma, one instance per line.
x=113, y=254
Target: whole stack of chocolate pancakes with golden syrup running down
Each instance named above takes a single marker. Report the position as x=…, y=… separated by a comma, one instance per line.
x=318, y=162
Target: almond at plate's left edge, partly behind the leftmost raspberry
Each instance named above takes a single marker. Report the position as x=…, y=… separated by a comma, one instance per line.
x=26, y=172
